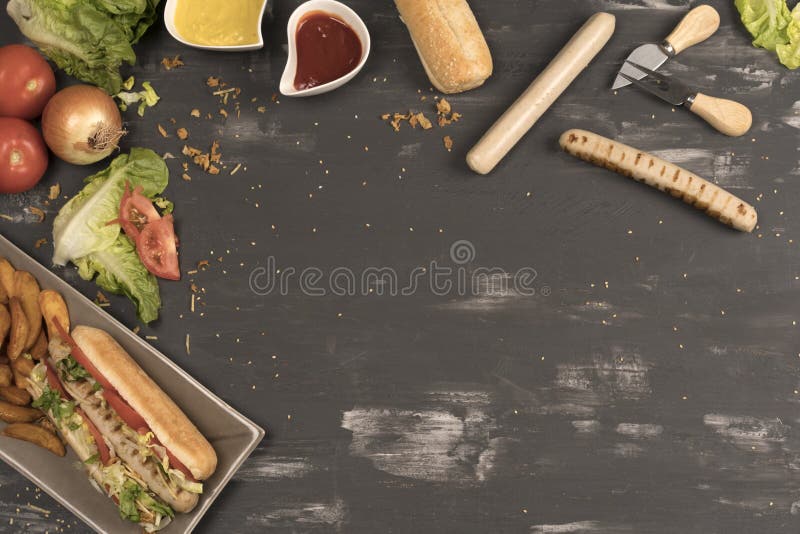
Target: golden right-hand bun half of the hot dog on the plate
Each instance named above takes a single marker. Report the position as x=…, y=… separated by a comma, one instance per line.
x=169, y=424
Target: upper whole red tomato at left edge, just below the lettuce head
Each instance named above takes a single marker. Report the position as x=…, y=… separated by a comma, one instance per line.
x=26, y=82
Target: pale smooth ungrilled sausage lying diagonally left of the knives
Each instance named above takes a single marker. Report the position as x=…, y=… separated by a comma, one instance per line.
x=540, y=95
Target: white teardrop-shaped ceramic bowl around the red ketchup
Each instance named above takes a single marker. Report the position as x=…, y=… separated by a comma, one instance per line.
x=334, y=8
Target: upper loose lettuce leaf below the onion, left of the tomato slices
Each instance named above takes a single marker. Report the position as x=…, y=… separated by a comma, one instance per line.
x=82, y=225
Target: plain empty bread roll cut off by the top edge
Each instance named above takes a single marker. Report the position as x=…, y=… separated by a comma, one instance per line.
x=449, y=42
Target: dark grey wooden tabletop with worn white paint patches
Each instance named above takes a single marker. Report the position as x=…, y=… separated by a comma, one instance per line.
x=650, y=382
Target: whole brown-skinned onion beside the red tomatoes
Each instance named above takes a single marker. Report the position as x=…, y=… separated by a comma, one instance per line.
x=82, y=124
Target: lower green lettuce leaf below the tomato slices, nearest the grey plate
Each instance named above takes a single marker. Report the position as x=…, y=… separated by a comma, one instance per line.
x=120, y=271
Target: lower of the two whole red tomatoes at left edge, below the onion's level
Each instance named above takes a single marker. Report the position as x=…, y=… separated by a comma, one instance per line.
x=23, y=155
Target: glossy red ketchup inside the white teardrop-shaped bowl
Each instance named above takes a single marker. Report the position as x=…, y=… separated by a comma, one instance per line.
x=327, y=49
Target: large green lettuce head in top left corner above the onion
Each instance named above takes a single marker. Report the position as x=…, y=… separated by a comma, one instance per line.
x=89, y=39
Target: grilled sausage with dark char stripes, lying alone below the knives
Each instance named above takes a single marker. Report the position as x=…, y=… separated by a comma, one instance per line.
x=662, y=175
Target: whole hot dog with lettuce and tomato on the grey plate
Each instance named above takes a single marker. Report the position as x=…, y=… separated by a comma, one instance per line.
x=136, y=444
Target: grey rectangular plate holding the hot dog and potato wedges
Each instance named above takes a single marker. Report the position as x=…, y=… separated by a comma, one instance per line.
x=232, y=435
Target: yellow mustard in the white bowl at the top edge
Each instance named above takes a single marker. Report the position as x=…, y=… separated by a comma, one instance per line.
x=218, y=22
